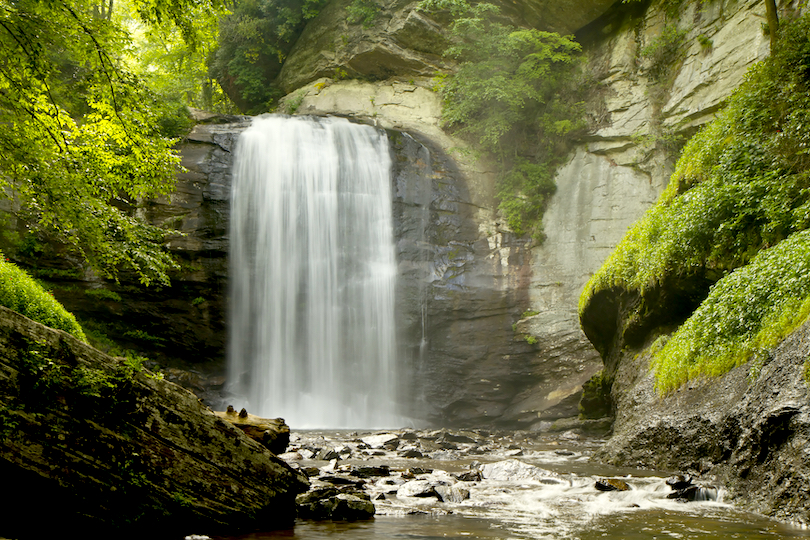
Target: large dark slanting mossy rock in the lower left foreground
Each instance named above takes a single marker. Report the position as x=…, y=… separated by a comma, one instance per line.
x=111, y=449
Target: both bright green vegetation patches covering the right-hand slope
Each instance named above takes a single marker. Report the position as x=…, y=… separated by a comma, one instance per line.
x=741, y=186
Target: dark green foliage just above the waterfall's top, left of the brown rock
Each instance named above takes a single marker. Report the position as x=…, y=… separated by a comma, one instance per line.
x=254, y=40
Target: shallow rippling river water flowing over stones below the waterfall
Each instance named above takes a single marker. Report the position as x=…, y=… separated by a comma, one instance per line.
x=543, y=487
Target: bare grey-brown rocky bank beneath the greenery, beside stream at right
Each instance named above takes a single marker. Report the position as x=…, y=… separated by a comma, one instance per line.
x=749, y=433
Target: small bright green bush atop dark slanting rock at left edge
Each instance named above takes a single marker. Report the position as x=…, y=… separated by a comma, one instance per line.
x=21, y=293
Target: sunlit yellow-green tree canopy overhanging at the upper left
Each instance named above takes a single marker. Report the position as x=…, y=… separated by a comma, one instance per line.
x=81, y=142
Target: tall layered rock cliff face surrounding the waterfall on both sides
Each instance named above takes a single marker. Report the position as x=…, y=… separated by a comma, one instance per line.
x=469, y=280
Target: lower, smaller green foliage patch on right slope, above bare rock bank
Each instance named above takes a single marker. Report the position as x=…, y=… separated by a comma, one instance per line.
x=746, y=314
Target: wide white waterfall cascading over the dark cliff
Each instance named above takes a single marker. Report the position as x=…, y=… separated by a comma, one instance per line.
x=312, y=274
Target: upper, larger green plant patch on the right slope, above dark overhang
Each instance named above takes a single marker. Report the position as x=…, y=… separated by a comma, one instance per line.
x=742, y=183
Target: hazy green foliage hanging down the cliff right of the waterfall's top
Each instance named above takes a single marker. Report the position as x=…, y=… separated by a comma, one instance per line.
x=513, y=95
